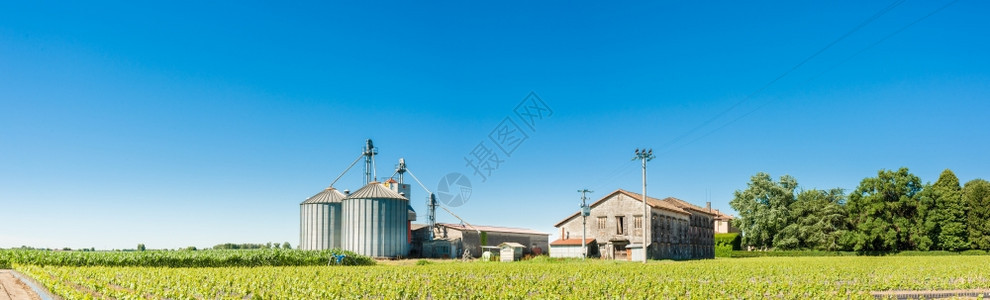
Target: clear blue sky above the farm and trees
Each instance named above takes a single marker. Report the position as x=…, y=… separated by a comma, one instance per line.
x=193, y=124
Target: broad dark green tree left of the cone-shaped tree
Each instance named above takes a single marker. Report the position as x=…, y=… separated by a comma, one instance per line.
x=883, y=211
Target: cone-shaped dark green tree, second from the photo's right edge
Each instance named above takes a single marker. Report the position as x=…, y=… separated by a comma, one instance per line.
x=944, y=211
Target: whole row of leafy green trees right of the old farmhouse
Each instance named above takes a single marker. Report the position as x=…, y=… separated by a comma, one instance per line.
x=893, y=211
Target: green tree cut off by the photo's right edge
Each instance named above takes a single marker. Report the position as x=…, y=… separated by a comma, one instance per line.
x=976, y=194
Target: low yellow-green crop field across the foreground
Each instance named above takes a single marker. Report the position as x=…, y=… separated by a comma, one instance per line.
x=750, y=278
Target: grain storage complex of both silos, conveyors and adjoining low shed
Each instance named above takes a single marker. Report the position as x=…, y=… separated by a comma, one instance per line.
x=376, y=221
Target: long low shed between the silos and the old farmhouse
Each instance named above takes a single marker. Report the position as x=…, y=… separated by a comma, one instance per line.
x=451, y=240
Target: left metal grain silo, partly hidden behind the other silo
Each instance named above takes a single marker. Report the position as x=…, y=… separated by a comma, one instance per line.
x=319, y=226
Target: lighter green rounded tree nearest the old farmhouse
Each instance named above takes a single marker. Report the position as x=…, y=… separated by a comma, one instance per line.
x=763, y=208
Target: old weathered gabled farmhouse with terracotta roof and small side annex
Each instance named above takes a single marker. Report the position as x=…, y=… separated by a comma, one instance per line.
x=677, y=229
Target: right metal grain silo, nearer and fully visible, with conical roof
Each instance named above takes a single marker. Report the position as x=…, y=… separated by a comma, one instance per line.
x=376, y=222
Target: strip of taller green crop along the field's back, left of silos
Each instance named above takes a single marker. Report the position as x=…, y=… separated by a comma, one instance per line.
x=181, y=259
